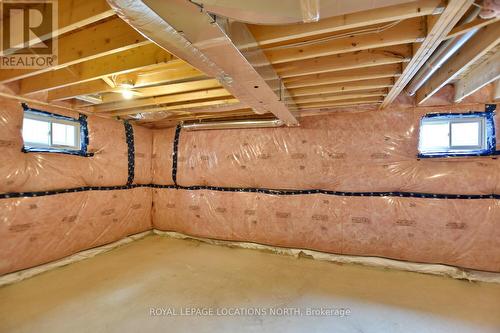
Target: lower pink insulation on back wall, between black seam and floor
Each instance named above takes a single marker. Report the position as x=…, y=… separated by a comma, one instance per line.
x=463, y=233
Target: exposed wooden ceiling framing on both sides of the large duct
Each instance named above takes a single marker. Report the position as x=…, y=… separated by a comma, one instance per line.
x=363, y=58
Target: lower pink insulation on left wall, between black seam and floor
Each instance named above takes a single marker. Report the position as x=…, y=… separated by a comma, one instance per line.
x=41, y=229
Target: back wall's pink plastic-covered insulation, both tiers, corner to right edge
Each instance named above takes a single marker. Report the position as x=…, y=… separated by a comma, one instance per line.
x=355, y=186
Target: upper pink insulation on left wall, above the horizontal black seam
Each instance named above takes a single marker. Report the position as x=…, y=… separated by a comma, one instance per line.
x=24, y=172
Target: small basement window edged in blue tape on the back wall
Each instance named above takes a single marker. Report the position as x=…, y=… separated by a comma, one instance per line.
x=444, y=135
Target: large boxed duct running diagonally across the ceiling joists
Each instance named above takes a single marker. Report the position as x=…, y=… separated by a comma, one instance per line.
x=193, y=35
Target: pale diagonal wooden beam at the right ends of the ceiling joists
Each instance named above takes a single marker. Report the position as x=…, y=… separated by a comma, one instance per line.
x=440, y=29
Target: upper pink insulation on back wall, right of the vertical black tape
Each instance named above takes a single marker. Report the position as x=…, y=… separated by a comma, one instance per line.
x=366, y=151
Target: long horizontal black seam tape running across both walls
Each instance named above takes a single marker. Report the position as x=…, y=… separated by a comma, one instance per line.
x=254, y=190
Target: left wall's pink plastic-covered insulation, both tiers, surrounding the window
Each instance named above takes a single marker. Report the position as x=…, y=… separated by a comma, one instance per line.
x=39, y=222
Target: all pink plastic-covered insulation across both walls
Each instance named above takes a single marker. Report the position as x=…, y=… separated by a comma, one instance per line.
x=364, y=151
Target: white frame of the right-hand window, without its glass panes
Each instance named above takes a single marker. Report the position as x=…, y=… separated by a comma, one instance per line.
x=482, y=139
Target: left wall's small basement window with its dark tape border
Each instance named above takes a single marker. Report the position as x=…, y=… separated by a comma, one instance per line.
x=46, y=132
